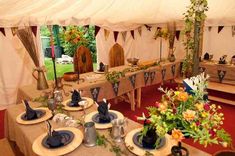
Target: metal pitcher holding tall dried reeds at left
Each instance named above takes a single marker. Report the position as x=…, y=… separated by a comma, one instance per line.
x=41, y=80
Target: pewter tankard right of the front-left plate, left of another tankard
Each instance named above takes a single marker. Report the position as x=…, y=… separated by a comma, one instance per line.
x=89, y=134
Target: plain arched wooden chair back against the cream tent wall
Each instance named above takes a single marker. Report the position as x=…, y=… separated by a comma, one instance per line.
x=116, y=56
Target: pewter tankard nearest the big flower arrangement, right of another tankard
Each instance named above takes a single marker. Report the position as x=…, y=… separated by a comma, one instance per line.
x=118, y=129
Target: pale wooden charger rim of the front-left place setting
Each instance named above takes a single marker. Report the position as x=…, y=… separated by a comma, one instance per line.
x=39, y=149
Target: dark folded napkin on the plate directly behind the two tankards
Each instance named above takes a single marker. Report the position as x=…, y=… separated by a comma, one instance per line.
x=103, y=110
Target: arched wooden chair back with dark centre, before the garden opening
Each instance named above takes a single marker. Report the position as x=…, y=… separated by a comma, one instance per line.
x=83, y=60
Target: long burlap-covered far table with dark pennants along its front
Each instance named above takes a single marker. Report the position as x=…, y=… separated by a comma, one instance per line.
x=104, y=89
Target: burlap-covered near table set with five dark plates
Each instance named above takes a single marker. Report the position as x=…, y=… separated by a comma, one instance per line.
x=24, y=135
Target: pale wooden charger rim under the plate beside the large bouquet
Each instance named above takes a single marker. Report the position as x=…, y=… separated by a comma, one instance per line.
x=165, y=150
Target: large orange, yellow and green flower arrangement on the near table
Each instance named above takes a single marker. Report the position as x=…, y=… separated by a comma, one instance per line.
x=182, y=114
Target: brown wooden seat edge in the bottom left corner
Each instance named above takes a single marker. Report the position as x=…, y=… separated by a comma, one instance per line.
x=6, y=149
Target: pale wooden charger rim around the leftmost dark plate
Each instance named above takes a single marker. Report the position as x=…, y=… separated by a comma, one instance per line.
x=45, y=117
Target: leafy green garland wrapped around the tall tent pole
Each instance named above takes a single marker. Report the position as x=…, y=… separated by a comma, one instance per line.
x=195, y=13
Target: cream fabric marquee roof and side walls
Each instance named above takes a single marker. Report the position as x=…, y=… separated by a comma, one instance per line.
x=114, y=15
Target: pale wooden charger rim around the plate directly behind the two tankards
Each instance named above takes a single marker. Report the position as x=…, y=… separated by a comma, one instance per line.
x=88, y=118
